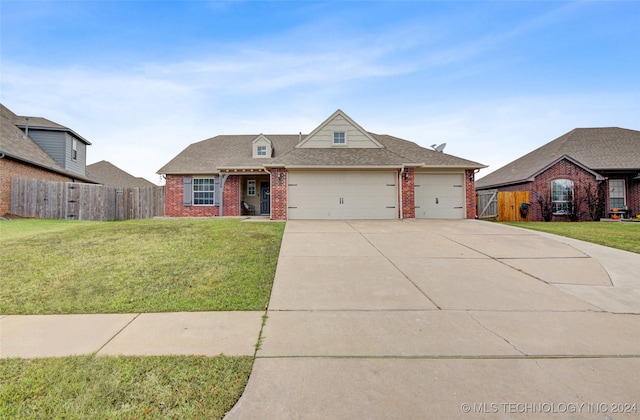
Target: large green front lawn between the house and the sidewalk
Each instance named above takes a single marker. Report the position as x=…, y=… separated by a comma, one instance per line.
x=65, y=267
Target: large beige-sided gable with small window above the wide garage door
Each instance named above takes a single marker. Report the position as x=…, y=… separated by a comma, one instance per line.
x=339, y=131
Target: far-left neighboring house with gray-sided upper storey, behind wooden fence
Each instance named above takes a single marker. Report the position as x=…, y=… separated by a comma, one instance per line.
x=36, y=148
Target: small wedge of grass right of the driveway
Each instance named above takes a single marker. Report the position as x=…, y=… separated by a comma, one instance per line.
x=620, y=235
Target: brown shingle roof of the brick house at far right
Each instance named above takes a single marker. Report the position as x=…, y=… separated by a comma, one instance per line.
x=607, y=148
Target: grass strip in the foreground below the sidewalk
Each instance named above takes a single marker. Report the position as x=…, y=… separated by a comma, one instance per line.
x=89, y=387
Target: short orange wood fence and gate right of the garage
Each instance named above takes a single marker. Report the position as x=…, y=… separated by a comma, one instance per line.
x=503, y=206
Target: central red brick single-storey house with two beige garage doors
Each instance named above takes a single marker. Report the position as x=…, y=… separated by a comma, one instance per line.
x=338, y=171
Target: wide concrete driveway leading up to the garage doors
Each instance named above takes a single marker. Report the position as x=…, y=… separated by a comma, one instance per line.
x=446, y=319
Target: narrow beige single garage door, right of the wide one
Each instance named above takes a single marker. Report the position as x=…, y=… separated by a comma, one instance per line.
x=439, y=196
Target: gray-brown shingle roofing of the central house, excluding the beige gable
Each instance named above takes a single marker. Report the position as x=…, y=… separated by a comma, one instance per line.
x=235, y=151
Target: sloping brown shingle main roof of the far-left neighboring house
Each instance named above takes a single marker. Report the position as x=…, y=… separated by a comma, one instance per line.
x=14, y=145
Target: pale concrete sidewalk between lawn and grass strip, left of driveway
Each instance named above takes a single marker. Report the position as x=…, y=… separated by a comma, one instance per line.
x=181, y=333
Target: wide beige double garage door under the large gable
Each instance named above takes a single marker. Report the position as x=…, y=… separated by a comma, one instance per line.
x=342, y=195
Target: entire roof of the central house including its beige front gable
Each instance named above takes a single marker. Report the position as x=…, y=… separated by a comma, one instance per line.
x=234, y=152
